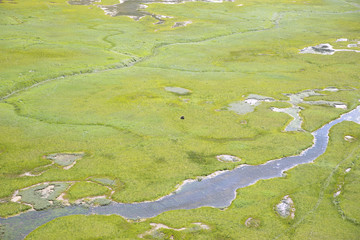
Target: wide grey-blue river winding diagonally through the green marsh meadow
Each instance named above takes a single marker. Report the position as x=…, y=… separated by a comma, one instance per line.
x=217, y=190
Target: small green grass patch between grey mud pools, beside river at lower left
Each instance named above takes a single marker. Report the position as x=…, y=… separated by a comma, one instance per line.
x=86, y=189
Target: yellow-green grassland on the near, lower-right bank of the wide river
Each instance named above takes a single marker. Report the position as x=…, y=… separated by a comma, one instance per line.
x=310, y=186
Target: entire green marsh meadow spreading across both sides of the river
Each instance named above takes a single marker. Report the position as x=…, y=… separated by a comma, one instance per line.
x=74, y=80
